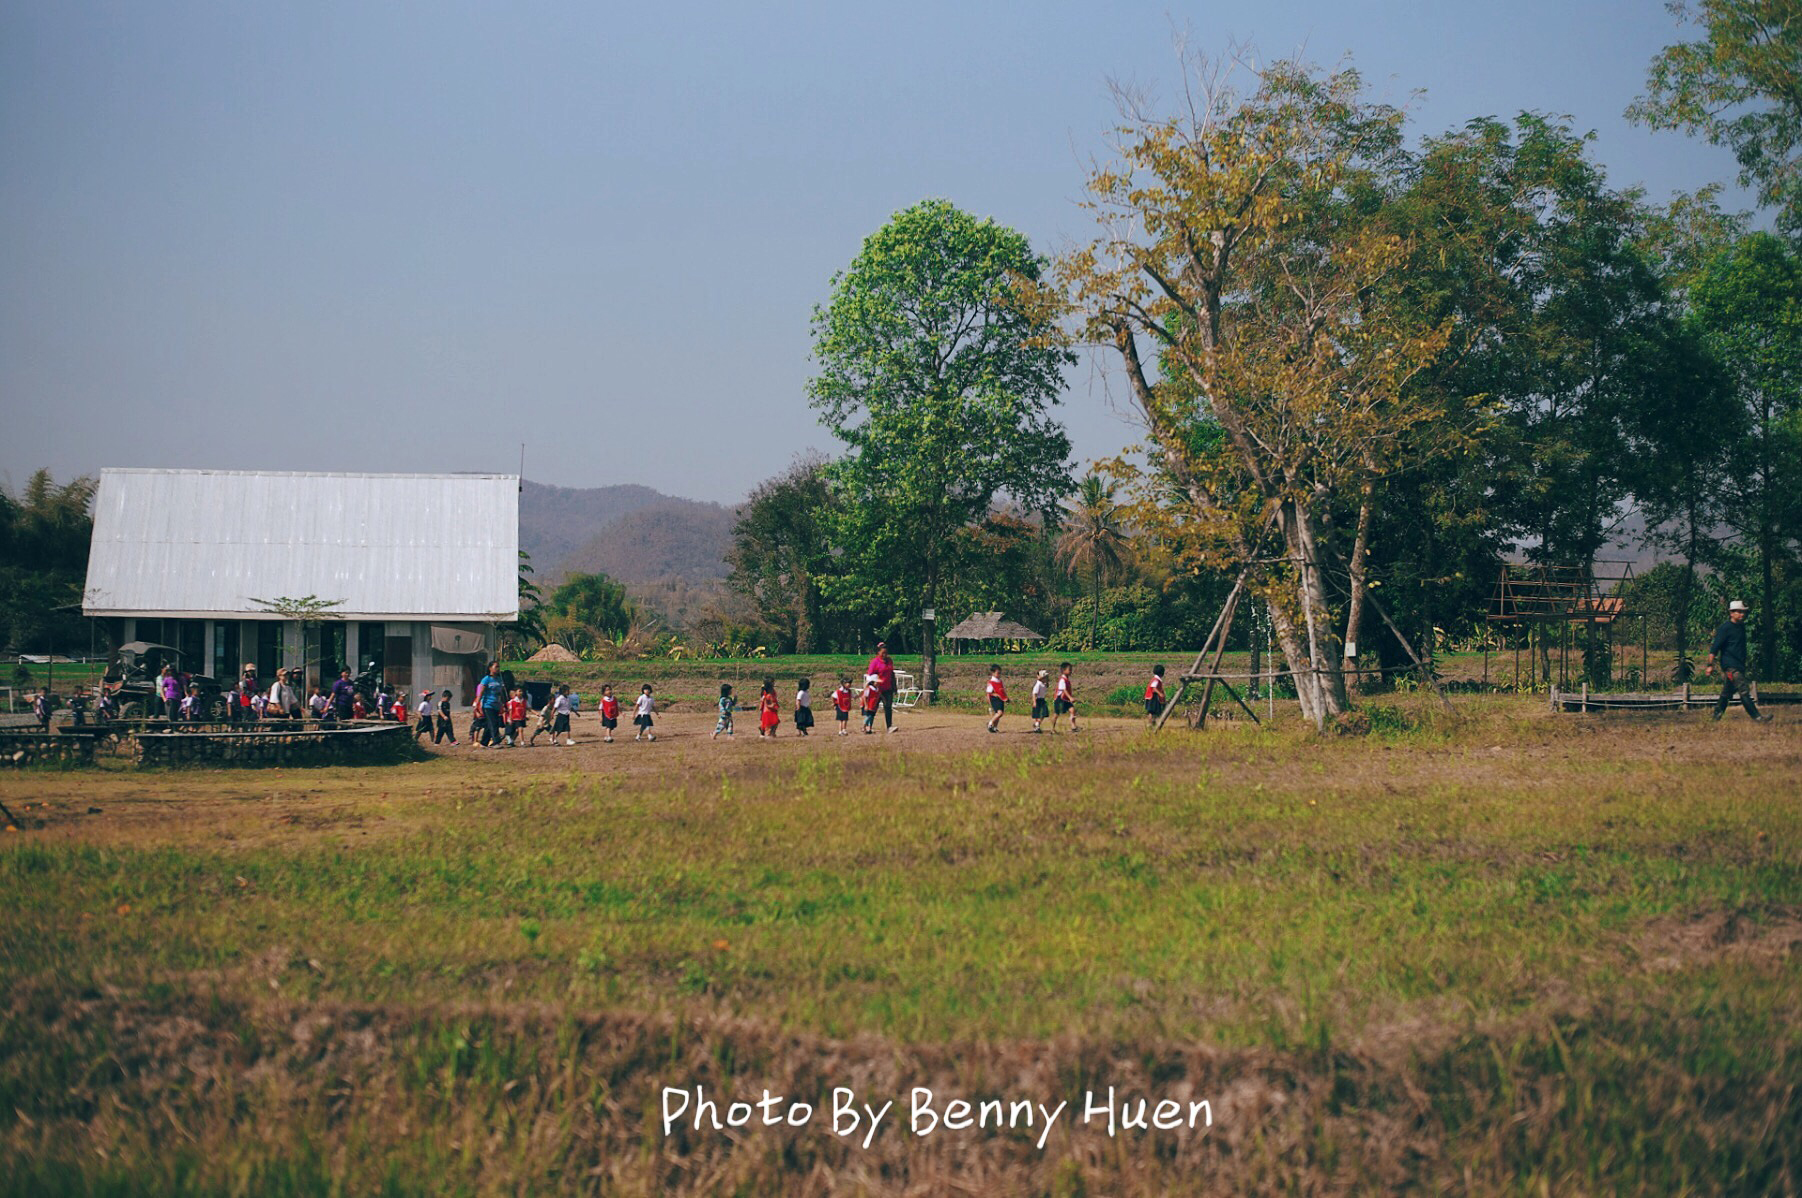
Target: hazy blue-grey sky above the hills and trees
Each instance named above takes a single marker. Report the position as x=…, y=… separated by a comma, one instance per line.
x=410, y=237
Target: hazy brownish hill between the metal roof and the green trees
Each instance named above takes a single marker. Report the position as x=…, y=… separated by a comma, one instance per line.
x=632, y=534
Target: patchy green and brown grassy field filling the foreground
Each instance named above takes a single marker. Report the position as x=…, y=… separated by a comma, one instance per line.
x=1497, y=954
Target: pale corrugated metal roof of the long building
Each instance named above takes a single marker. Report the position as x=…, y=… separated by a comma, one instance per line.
x=190, y=543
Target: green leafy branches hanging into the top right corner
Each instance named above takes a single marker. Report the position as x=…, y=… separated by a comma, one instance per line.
x=1740, y=86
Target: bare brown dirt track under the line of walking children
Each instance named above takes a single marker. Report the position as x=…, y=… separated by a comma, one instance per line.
x=1533, y=750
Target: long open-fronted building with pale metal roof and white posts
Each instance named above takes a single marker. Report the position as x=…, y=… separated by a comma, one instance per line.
x=423, y=570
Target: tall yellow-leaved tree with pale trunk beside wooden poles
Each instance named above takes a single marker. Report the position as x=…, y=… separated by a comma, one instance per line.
x=1255, y=295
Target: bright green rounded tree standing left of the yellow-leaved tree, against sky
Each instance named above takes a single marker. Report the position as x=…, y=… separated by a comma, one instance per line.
x=940, y=363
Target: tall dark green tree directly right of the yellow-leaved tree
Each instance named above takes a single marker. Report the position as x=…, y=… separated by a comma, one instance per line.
x=1565, y=302
